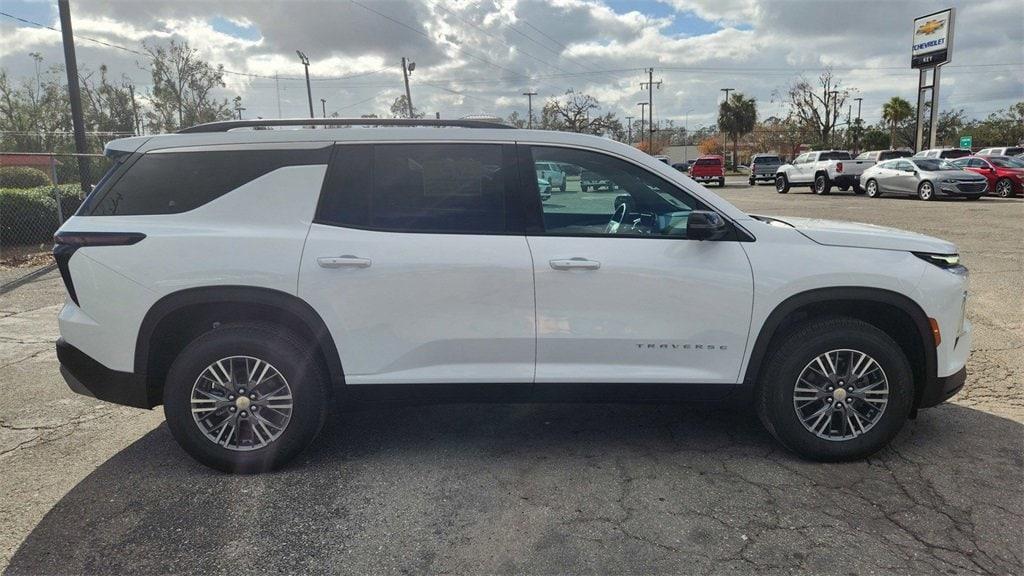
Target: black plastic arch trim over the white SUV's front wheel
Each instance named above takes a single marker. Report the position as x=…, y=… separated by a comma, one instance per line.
x=846, y=294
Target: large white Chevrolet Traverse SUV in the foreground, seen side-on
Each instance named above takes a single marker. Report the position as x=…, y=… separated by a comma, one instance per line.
x=245, y=279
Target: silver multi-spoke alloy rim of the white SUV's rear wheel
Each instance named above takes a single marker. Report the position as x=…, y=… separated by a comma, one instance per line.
x=242, y=403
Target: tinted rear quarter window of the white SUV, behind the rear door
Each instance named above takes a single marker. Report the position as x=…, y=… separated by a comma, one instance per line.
x=172, y=183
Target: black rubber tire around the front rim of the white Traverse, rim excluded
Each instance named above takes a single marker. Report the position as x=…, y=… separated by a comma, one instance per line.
x=795, y=351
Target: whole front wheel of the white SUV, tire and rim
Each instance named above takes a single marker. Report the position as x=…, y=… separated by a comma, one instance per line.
x=836, y=390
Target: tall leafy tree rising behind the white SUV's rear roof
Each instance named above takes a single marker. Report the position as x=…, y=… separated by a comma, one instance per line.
x=184, y=88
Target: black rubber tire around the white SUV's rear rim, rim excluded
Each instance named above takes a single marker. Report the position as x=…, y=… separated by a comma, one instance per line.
x=280, y=348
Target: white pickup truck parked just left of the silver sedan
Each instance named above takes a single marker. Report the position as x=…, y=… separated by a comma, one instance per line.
x=822, y=171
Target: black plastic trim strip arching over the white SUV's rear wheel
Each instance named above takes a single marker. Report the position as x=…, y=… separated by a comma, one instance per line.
x=284, y=302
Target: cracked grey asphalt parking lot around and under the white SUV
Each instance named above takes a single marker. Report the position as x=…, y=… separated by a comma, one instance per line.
x=94, y=488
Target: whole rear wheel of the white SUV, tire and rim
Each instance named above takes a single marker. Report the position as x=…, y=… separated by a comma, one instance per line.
x=246, y=398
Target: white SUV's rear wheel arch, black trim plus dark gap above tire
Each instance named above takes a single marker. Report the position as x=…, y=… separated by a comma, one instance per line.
x=178, y=318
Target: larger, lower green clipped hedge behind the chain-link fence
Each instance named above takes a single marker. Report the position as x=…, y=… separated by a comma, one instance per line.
x=30, y=216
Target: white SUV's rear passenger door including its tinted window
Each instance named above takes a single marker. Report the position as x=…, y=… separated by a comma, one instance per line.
x=418, y=265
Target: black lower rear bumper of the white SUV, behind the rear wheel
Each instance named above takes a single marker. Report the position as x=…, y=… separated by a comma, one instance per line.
x=89, y=378
